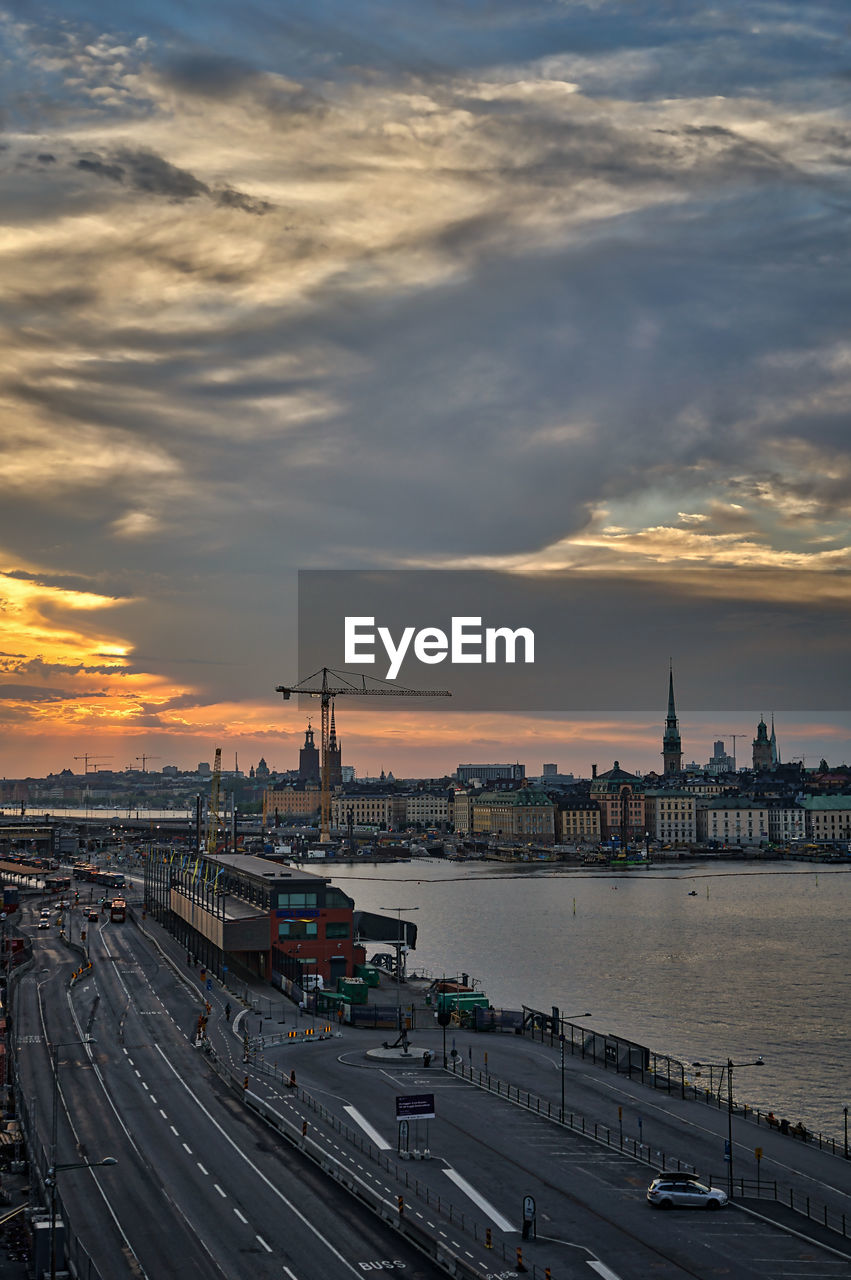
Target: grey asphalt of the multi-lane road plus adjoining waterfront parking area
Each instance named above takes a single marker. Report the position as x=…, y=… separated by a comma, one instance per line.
x=205, y=1188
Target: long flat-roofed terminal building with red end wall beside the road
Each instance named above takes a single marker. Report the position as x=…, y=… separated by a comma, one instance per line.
x=250, y=916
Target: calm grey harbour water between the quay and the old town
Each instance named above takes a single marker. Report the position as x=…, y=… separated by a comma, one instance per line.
x=756, y=964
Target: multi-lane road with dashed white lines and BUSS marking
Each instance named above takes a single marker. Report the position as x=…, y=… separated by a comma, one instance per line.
x=202, y=1188
